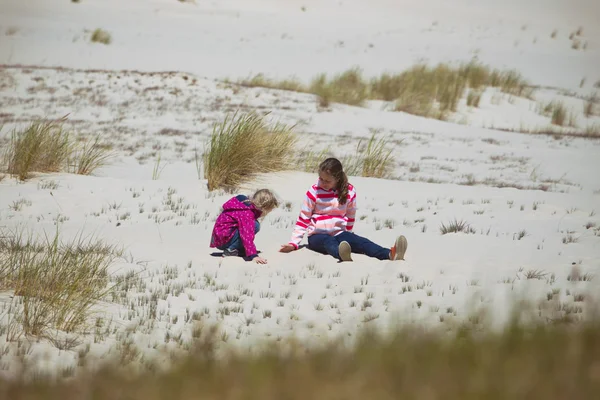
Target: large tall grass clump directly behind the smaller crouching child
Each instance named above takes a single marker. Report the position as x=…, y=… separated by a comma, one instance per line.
x=244, y=145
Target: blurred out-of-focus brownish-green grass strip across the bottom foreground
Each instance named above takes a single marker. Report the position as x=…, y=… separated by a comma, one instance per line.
x=548, y=362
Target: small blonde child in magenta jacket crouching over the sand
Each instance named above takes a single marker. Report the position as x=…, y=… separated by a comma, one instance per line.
x=237, y=225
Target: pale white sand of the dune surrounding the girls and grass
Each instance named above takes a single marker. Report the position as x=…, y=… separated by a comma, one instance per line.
x=531, y=200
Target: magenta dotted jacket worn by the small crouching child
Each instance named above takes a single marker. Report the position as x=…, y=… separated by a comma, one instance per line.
x=238, y=214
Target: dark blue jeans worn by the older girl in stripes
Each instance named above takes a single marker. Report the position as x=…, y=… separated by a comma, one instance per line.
x=327, y=244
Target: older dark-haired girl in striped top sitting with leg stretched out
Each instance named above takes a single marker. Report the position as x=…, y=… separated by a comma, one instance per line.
x=327, y=215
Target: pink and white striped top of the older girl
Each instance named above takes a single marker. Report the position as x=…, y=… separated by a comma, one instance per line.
x=321, y=212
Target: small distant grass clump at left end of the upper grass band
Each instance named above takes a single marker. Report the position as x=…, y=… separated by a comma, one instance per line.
x=349, y=87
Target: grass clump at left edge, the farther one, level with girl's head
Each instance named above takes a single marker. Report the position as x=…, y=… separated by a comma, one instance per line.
x=45, y=146
